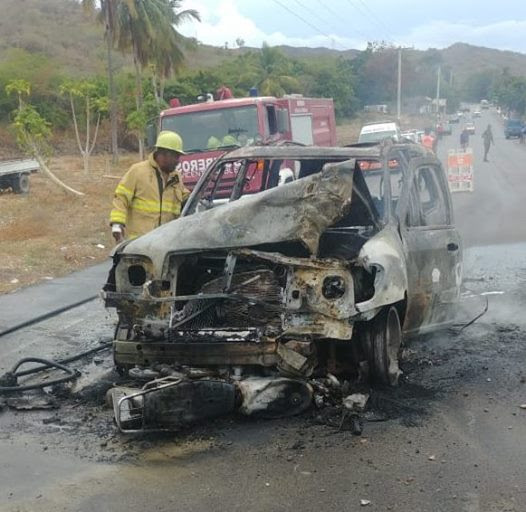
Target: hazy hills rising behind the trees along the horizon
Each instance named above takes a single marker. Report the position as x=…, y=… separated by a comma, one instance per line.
x=61, y=30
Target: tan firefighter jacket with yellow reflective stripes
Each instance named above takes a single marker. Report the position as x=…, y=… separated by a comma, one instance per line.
x=138, y=202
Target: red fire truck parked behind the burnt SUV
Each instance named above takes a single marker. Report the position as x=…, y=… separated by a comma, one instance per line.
x=211, y=128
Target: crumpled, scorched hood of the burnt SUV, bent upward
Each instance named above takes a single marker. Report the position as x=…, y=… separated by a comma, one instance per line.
x=297, y=211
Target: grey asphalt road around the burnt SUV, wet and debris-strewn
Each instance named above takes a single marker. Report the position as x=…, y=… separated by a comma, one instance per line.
x=453, y=439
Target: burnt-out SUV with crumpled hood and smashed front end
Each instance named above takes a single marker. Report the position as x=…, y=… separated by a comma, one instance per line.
x=324, y=274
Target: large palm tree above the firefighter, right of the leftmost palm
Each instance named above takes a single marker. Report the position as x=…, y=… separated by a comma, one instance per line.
x=146, y=27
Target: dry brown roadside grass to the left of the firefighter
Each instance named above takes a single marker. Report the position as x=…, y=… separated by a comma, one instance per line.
x=49, y=233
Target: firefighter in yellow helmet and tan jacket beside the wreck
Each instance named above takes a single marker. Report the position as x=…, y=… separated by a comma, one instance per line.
x=151, y=192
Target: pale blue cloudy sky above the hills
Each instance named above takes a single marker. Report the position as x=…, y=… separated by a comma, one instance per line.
x=350, y=24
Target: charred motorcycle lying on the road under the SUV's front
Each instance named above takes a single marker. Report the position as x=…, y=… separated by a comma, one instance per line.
x=171, y=403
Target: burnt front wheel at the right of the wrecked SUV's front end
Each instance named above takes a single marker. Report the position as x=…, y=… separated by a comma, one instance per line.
x=381, y=342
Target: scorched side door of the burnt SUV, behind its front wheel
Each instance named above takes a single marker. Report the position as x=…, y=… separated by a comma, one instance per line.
x=433, y=245
